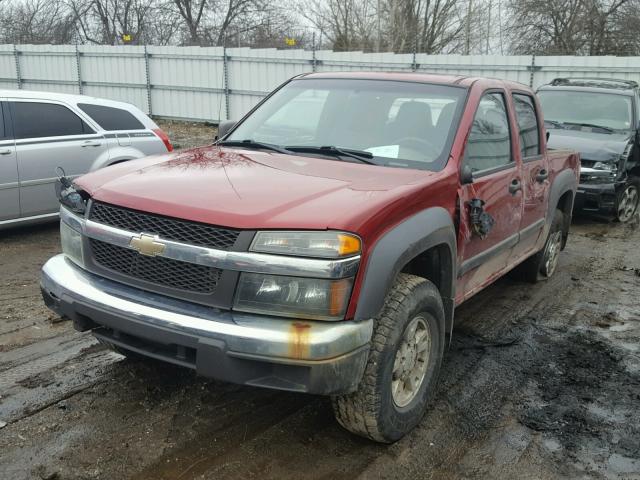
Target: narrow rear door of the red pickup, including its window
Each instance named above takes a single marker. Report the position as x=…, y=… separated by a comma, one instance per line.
x=535, y=173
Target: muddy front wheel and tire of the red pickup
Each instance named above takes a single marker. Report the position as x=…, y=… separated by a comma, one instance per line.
x=403, y=366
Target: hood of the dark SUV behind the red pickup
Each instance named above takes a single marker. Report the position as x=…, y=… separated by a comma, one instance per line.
x=598, y=147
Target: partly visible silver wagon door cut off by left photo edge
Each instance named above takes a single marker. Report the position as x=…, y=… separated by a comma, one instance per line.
x=9, y=186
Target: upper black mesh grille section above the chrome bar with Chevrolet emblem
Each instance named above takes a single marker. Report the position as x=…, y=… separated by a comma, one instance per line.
x=168, y=228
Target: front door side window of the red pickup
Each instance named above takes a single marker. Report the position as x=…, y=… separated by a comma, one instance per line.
x=489, y=144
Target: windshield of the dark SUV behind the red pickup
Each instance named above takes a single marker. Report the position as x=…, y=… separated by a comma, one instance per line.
x=573, y=109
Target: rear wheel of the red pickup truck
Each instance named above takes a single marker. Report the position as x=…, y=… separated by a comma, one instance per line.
x=543, y=264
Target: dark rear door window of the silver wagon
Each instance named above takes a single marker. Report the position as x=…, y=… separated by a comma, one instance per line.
x=38, y=120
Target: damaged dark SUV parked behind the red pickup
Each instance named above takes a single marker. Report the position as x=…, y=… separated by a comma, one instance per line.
x=599, y=118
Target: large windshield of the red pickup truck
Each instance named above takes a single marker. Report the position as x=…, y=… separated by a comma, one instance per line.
x=398, y=124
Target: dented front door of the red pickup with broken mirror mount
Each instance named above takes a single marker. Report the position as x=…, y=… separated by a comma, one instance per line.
x=497, y=182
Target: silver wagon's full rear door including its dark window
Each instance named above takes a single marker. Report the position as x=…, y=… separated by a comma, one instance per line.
x=50, y=135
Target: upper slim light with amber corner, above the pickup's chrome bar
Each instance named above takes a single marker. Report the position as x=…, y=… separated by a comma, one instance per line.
x=328, y=244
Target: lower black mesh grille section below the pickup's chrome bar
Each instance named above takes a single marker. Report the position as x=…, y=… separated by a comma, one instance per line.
x=161, y=271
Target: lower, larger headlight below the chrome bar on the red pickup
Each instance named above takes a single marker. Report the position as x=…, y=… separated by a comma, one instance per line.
x=307, y=298
